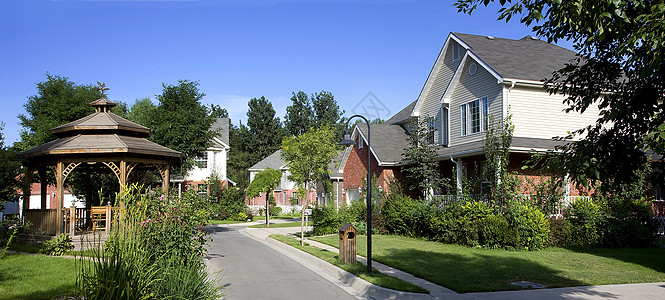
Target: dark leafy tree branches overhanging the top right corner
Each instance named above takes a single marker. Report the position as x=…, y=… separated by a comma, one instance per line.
x=620, y=68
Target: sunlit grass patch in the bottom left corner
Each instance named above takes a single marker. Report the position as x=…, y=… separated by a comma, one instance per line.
x=36, y=277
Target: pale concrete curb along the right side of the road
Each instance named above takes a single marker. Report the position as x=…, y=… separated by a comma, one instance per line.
x=343, y=279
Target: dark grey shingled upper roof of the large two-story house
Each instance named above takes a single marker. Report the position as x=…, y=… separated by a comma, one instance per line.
x=527, y=58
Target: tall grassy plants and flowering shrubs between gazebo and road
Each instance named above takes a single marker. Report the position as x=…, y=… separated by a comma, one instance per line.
x=153, y=252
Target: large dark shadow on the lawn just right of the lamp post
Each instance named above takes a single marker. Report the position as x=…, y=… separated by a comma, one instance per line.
x=473, y=272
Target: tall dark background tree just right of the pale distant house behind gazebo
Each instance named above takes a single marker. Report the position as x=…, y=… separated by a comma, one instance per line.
x=265, y=130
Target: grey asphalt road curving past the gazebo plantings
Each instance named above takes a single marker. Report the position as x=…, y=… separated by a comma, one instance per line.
x=252, y=270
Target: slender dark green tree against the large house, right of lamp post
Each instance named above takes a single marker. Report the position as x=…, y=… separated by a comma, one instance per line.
x=420, y=167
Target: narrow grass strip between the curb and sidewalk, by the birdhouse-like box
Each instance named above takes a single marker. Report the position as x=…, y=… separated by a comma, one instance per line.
x=357, y=269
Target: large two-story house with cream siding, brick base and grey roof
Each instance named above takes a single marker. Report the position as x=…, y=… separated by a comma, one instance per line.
x=474, y=77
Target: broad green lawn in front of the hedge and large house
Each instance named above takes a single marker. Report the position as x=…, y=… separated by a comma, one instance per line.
x=472, y=270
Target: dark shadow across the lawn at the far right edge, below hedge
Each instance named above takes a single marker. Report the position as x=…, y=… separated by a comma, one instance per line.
x=651, y=258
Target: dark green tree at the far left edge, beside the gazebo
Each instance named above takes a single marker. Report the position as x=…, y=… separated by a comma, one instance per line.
x=10, y=169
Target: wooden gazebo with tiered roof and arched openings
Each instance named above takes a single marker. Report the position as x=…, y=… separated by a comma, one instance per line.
x=100, y=138
